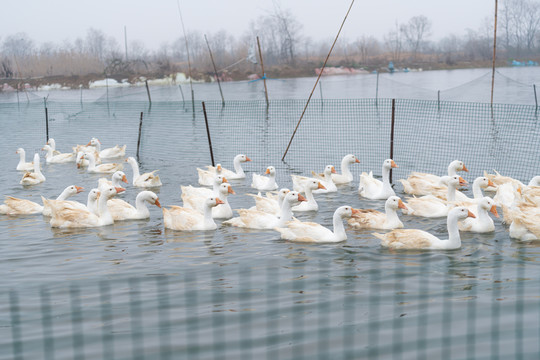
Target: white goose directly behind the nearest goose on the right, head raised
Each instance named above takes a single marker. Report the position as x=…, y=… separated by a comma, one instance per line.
x=431, y=206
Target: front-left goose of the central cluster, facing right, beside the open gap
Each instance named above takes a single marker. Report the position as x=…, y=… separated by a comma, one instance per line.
x=185, y=219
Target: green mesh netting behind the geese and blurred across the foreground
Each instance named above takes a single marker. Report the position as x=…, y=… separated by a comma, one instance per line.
x=377, y=305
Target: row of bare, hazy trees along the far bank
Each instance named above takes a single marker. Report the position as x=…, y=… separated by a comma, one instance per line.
x=283, y=42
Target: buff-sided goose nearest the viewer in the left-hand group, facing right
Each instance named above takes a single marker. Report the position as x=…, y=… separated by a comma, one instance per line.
x=76, y=218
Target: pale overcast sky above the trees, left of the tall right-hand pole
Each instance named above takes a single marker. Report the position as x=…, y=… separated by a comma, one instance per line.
x=155, y=22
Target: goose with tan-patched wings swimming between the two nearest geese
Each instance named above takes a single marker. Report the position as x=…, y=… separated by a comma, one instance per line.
x=373, y=219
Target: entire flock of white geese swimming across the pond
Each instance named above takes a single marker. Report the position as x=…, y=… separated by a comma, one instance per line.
x=430, y=196
